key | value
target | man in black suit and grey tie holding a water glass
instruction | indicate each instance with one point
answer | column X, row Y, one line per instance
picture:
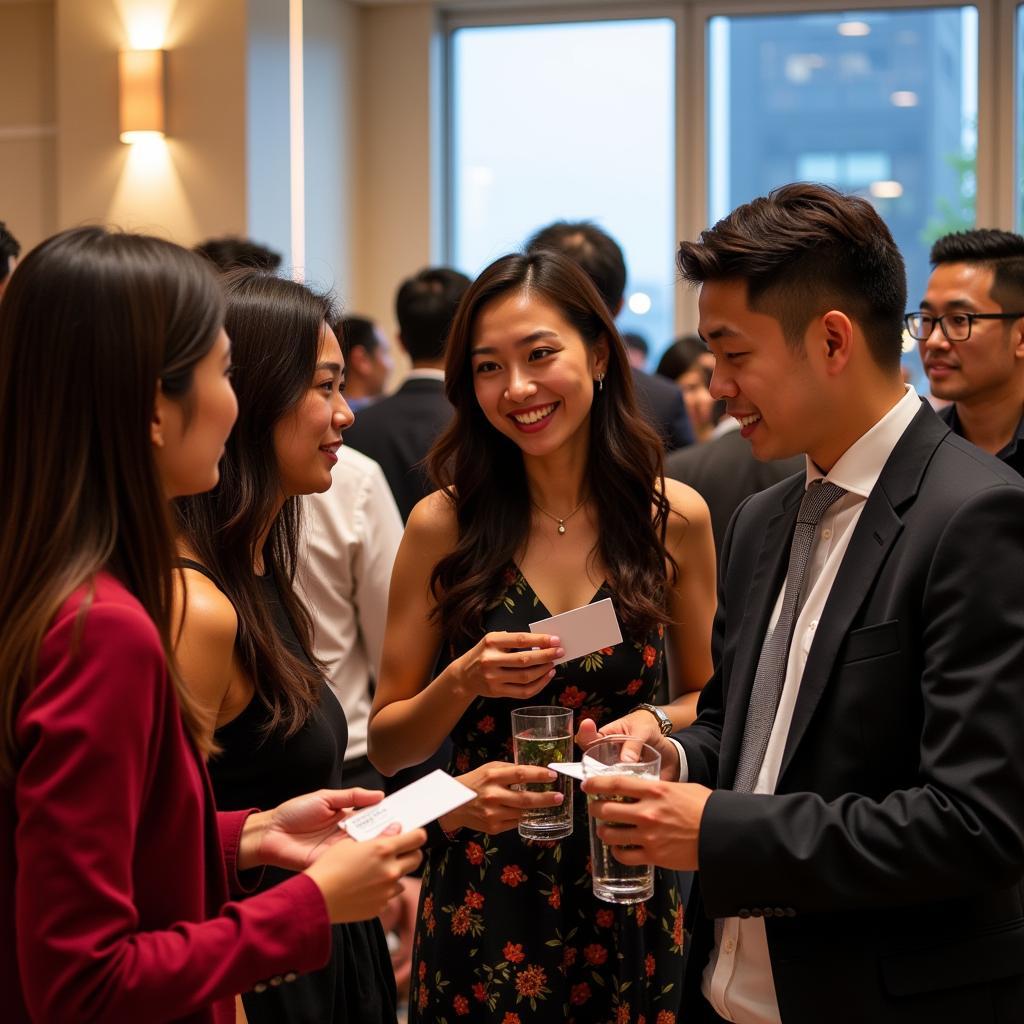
column 854, row 787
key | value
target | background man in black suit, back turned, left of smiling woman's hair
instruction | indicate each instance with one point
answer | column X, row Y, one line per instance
column 398, row 432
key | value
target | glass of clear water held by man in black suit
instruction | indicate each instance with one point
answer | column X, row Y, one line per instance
column 614, row 881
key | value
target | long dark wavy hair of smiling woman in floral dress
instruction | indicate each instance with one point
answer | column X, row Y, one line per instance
column 483, row 472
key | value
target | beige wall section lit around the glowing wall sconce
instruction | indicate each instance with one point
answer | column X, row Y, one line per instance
column 193, row 184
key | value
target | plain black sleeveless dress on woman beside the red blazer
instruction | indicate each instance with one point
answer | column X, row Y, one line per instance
column 260, row 771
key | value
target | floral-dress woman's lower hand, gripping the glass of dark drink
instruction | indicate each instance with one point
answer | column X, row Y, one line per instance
column 498, row 807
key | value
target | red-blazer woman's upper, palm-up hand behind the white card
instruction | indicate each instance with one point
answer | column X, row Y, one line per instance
column 298, row 832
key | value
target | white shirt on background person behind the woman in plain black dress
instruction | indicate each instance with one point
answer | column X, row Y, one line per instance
column 351, row 538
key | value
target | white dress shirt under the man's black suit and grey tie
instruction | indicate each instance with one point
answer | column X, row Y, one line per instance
column 738, row 980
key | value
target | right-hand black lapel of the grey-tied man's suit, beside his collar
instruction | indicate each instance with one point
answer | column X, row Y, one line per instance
column 877, row 531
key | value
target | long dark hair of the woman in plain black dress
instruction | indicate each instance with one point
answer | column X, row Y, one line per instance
column 275, row 326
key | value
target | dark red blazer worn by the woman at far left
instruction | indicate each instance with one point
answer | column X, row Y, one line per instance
column 87, row 782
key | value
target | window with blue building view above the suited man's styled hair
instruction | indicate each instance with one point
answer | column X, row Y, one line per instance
column 880, row 103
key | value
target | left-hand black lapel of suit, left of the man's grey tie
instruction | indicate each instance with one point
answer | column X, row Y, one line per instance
column 763, row 588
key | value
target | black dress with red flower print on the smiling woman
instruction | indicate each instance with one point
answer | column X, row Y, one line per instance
column 510, row 932
